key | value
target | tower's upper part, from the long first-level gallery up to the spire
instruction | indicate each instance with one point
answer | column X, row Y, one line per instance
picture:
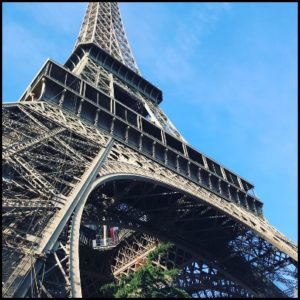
column 100, row 85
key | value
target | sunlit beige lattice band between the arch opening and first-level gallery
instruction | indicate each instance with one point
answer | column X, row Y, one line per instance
column 124, row 160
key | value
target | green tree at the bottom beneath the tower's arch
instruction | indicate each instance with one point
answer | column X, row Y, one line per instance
column 149, row 281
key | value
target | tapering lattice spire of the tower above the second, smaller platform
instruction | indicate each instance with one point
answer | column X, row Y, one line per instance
column 102, row 25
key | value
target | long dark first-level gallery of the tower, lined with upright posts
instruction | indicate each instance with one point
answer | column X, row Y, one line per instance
column 101, row 111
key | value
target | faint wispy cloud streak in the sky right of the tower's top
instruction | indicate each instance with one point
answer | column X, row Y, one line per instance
column 174, row 62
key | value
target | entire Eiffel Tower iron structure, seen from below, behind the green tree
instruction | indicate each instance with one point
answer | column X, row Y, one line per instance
column 95, row 175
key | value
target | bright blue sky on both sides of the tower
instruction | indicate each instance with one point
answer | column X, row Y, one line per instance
column 228, row 72
